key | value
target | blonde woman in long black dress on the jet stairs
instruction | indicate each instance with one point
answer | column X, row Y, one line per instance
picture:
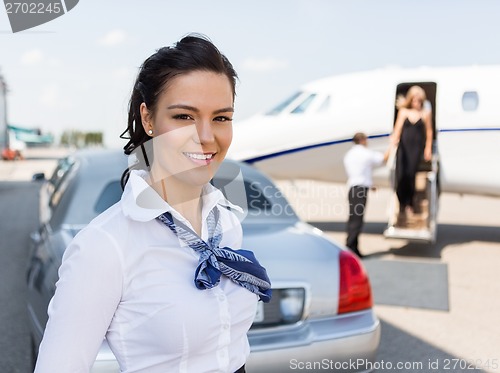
column 413, row 135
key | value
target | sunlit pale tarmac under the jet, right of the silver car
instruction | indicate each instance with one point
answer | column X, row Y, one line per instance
column 468, row 242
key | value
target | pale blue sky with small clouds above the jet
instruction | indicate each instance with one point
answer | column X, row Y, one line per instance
column 76, row 72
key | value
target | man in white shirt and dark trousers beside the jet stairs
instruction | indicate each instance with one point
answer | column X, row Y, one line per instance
column 359, row 163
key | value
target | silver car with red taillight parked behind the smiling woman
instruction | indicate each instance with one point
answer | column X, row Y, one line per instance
column 321, row 312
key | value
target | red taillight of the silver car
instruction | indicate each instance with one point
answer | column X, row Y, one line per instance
column 355, row 292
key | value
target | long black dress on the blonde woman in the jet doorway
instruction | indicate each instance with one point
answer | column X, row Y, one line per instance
column 409, row 154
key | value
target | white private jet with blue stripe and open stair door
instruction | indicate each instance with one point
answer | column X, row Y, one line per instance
column 307, row 135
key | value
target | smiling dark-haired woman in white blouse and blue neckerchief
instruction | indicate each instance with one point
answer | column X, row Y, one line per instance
column 145, row 267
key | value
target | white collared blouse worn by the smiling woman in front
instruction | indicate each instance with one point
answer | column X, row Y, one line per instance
column 127, row 277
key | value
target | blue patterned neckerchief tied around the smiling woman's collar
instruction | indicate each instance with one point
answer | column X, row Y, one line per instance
column 240, row 266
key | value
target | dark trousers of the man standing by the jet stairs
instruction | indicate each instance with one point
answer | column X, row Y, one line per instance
column 357, row 204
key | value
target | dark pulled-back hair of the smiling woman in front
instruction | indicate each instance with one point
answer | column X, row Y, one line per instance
column 193, row 52
